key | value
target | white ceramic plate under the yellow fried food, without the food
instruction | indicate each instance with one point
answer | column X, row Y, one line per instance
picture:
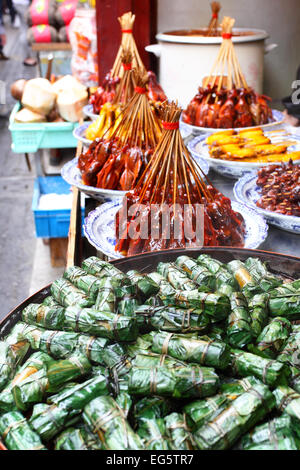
column 232, row 169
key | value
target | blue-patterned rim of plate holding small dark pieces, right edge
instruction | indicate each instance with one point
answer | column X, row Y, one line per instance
column 238, row 191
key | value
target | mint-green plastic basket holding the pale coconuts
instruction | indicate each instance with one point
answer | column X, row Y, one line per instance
column 28, row 138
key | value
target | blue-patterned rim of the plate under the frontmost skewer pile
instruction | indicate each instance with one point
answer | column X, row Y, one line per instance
column 113, row 206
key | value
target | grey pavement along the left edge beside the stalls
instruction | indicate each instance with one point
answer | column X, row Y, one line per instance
column 24, row 260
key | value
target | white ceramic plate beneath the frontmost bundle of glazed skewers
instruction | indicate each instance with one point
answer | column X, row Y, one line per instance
column 99, row 227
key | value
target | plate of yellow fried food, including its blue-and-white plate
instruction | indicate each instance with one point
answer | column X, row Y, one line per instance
column 234, row 153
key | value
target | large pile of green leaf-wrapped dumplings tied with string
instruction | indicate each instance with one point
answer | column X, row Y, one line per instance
column 195, row 355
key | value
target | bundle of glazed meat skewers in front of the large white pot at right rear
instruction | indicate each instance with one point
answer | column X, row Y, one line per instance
column 225, row 100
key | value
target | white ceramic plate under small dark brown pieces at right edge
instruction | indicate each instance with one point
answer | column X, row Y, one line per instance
column 247, row 192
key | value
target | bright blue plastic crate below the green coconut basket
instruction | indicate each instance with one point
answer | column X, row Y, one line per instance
column 52, row 223
